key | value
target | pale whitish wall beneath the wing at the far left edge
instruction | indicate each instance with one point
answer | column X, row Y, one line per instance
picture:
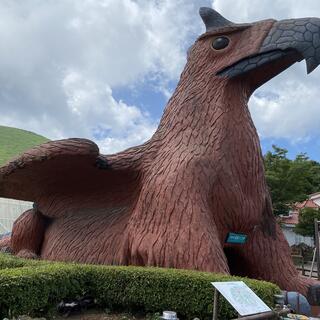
column 10, row 210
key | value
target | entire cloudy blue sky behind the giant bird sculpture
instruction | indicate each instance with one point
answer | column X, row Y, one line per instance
column 105, row 69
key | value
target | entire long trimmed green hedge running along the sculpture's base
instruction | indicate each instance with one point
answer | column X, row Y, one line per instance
column 36, row 288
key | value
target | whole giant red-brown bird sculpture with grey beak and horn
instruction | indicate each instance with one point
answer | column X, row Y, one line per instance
column 171, row 201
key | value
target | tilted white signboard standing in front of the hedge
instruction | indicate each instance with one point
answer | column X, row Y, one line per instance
column 241, row 297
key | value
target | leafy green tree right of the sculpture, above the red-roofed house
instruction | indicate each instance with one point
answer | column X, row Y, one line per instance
column 290, row 181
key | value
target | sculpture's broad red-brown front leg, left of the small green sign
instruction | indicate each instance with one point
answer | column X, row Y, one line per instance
column 171, row 226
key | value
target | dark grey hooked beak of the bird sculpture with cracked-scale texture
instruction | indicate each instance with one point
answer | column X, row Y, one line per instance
column 297, row 39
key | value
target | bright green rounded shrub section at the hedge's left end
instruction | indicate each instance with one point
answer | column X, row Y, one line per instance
column 35, row 290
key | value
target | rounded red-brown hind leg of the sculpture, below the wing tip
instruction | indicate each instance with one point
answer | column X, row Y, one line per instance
column 27, row 234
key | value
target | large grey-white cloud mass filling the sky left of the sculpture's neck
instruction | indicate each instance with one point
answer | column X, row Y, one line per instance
column 60, row 60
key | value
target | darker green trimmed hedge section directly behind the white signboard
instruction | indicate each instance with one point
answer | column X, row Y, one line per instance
column 190, row 293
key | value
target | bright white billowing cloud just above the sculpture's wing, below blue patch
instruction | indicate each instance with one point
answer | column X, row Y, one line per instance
column 93, row 108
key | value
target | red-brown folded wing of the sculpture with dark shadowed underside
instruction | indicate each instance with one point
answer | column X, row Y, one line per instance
column 57, row 167
